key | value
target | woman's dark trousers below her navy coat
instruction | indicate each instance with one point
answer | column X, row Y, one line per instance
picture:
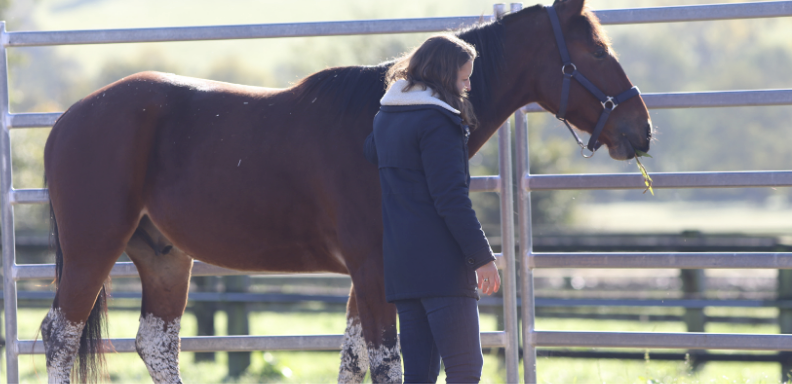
column 440, row 327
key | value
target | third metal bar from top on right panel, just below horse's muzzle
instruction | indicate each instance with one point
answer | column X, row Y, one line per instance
column 661, row 180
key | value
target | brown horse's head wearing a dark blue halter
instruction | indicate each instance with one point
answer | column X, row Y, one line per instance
column 595, row 81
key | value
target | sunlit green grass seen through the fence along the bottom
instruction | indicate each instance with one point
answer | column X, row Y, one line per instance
column 321, row 367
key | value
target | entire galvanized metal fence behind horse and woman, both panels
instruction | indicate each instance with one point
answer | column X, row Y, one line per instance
column 500, row 183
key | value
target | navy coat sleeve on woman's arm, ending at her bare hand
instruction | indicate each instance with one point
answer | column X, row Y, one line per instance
column 443, row 158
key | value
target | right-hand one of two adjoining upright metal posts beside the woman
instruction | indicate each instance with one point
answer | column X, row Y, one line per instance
column 526, row 248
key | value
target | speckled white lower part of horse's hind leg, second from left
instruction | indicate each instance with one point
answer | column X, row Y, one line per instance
column 158, row 345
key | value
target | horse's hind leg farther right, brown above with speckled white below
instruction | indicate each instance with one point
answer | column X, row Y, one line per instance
column 165, row 275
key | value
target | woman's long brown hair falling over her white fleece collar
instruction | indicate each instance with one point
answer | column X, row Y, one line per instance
column 435, row 65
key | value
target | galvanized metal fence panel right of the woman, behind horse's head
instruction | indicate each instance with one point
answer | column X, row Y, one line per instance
column 547, row 182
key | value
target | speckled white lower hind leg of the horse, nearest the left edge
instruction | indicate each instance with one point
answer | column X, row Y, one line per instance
column 61, row 342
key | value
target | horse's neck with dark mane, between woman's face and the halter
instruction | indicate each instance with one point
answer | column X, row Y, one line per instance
column 514, row 88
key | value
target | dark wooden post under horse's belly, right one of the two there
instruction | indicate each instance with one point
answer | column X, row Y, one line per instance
column 237, row 313
